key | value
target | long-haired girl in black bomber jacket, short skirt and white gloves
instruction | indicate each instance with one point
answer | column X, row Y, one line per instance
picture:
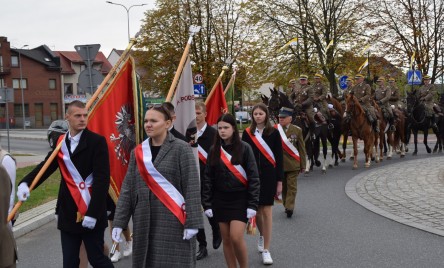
column 231, row 189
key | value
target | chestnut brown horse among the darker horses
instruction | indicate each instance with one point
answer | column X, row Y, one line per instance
column 361, row 129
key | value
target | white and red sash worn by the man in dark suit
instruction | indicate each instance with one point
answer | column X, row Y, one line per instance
column 79, row 188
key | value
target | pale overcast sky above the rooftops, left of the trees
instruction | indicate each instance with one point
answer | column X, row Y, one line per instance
column 62, row 24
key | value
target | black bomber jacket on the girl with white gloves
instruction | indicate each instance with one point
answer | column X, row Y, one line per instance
column 218, row 178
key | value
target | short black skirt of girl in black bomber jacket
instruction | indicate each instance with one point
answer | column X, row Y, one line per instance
column 229, row 206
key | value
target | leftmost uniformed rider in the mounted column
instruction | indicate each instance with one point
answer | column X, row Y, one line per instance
column 303, row 100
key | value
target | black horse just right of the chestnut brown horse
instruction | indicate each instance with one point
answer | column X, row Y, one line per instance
column 417, row 121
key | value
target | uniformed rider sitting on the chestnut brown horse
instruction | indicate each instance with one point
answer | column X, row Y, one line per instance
column 362, row 92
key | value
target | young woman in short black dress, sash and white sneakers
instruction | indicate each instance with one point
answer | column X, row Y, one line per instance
column 267, row 149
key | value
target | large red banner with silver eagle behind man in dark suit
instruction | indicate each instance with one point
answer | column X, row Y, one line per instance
column 117, row 116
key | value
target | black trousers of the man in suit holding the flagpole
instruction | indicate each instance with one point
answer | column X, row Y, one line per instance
column 93, row 241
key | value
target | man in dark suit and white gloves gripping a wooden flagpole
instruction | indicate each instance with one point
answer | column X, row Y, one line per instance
column 81, row 206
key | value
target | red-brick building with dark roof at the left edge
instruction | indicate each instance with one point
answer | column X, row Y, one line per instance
column 39, row 72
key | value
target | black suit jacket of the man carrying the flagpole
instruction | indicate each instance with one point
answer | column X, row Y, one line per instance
column 90, row 156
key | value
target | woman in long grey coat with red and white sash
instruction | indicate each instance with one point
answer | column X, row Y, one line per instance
column 163, row 233
